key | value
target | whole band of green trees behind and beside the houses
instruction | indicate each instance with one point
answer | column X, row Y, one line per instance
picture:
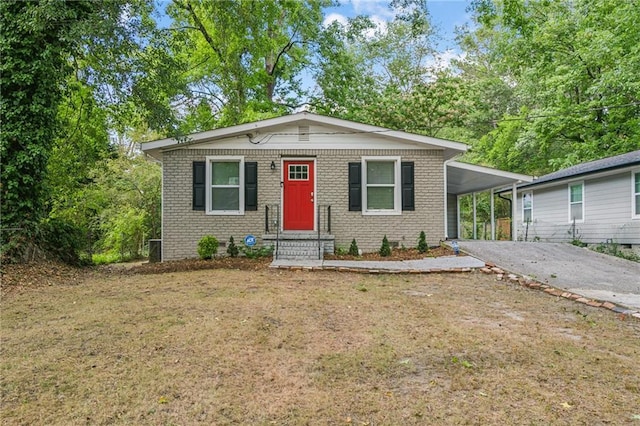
column 538, row 85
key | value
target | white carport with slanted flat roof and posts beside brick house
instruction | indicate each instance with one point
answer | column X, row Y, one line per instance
column 469, row 179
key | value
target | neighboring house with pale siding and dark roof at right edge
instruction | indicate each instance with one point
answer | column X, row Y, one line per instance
column 594, row 202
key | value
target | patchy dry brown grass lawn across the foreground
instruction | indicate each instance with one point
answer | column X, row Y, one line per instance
column 293, row 347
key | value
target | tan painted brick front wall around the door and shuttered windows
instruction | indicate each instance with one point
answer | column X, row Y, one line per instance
column 183, row 227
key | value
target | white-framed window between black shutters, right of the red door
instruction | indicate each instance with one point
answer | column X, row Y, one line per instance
column 381, row 186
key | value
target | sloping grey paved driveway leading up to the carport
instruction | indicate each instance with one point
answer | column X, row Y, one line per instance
column 564, row 266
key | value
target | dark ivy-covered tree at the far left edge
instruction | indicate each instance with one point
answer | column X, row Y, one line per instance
column 33, row 41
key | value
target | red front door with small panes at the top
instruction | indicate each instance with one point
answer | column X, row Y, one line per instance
column 298, row 195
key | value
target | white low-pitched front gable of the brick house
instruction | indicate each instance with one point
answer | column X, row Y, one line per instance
column 324, row 132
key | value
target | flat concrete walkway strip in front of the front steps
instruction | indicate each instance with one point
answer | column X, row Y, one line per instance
column 429, row 264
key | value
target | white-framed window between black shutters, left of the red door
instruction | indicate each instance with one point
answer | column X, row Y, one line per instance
column 225, row 184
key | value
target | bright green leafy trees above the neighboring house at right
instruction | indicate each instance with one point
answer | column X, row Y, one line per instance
column 573, row 66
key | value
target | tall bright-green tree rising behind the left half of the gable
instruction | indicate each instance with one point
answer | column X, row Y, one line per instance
column 243, row 57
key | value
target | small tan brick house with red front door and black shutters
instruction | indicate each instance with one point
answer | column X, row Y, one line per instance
column 312, row 179
